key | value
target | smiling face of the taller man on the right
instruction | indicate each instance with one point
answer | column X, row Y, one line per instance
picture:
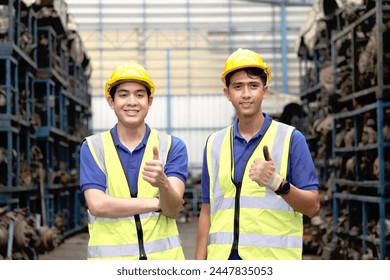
column 246, row 93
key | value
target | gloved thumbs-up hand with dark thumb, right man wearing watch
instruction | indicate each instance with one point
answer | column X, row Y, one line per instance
column 262, row 171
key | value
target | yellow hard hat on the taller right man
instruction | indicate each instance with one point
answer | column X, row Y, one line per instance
column 244, row 58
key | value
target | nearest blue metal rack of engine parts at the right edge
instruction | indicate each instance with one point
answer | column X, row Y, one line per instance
column 361, row 200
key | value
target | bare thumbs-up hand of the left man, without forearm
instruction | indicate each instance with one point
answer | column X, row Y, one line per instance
column 153, row 171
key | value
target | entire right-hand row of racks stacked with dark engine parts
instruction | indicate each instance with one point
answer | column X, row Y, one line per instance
column 345, row 78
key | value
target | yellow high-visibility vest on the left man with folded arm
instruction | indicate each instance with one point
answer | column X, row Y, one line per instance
column 120, row 238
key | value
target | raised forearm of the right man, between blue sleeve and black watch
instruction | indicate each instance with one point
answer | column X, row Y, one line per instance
column 304, row 201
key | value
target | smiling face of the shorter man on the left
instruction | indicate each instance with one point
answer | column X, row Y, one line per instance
column 131, row 104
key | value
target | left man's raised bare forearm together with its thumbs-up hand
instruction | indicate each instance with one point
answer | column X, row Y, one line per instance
column 171, row 189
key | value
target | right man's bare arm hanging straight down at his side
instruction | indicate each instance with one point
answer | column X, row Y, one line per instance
column 203, row 232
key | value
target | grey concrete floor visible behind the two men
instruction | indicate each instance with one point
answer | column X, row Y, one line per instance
column 75, row 247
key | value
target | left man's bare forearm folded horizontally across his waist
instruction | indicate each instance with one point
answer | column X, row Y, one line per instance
column 102, row 205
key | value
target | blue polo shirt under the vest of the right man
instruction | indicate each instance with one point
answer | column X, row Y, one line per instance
column 301, row 170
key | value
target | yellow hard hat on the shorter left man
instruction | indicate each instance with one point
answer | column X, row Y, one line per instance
column 129, row 71
